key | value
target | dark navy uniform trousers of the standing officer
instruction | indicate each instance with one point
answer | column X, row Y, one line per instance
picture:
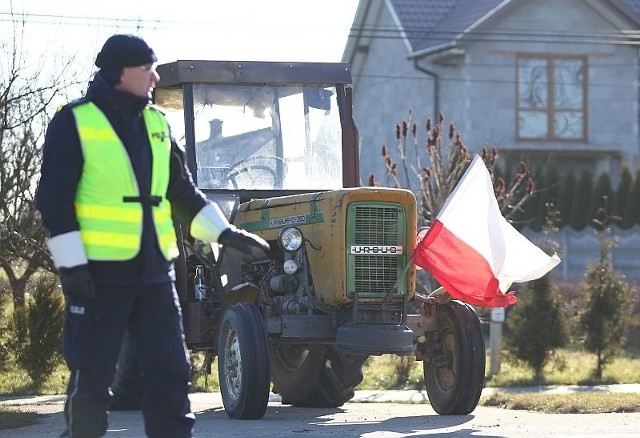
column 93, row 334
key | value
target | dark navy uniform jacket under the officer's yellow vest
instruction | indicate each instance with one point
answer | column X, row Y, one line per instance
column 62, row 167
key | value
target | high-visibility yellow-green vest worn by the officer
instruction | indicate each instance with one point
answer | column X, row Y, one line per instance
column 111, row 226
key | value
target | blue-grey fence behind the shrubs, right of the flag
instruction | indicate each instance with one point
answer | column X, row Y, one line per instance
column 579, row 249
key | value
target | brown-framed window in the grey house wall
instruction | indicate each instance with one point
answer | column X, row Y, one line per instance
column 551, row 97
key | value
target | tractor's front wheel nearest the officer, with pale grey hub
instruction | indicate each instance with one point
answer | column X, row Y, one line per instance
column 243, row 363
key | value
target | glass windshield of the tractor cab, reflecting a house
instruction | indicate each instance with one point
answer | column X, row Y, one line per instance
column 264, row 137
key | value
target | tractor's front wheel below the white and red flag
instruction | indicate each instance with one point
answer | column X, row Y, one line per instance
column 454, row 376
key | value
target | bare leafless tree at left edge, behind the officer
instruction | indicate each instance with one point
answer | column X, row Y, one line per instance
column 29, row 86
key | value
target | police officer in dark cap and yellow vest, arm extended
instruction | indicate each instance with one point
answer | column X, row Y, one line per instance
column 112, row 177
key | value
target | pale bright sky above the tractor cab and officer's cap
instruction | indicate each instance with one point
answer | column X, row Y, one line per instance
column 239, row 30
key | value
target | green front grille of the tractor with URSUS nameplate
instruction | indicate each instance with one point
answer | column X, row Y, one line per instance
column 376, row 228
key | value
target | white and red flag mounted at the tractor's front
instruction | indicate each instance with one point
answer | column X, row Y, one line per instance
column 471, row 249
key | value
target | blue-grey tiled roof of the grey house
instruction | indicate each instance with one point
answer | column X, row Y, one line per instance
column 434, row 25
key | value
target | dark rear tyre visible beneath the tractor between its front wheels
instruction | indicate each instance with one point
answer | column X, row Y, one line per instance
column 315, row 376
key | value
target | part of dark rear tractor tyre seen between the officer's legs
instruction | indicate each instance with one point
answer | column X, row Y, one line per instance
column 127, row 383
